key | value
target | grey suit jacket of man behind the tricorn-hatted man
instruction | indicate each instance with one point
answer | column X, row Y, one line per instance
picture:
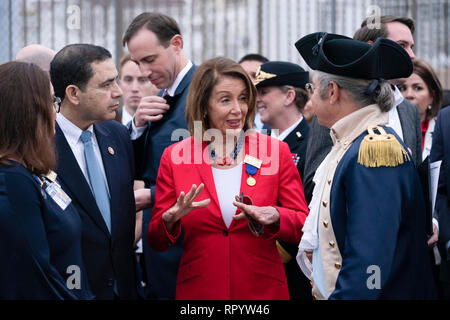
column 320, row 143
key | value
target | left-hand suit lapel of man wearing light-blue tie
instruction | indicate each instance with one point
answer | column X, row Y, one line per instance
column 70, row 174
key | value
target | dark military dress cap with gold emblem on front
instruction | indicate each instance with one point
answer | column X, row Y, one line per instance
column 280, row 73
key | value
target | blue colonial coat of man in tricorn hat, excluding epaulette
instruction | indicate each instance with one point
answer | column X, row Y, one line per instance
column 377, row 218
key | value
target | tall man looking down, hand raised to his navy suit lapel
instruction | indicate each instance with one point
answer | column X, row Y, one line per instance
column 156, row 45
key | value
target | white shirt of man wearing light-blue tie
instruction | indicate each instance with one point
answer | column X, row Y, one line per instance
column 73, row 134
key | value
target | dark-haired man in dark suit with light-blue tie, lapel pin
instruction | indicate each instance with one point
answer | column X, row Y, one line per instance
column 96, row 166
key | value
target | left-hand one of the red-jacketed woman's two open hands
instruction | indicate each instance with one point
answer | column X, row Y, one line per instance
column 183, row 206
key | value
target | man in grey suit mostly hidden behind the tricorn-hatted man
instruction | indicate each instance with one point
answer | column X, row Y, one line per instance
column 404, row 117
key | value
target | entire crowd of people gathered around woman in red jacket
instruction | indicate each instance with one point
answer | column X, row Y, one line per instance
column 248, row 180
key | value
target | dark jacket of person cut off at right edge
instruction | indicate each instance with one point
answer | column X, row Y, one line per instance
column 440, row 150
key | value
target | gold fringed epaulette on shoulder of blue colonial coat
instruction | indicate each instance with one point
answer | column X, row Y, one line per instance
column 379, row 149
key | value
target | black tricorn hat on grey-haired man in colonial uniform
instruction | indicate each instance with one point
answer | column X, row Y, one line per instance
column 340, row 55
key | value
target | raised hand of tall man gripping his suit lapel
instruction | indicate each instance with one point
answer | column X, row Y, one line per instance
column 150, row 109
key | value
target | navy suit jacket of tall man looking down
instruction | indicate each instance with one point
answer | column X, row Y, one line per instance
column 160, row 268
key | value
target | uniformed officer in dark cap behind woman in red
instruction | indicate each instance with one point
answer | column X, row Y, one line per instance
column 281, row 99
